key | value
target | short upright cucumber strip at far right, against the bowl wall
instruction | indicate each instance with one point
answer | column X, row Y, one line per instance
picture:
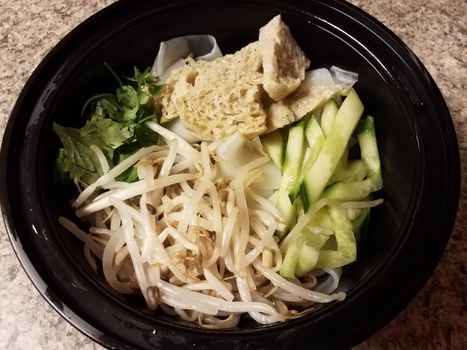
column 369, row 150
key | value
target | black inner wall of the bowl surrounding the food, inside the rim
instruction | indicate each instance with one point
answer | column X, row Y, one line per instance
column 136, row 43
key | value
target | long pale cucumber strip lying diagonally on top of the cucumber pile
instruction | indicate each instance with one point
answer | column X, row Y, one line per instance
column 344, row 124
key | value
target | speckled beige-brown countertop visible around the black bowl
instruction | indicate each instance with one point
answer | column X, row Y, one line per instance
column 435, row 30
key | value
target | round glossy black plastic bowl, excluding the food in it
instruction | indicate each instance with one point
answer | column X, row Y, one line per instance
column 406, row 235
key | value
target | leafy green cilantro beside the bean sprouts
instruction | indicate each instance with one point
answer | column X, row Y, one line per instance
column 115, row 123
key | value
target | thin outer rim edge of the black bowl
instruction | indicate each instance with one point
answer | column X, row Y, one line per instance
column 372, row 24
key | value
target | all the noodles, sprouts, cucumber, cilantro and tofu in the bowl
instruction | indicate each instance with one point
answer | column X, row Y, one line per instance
column 218, row 186
